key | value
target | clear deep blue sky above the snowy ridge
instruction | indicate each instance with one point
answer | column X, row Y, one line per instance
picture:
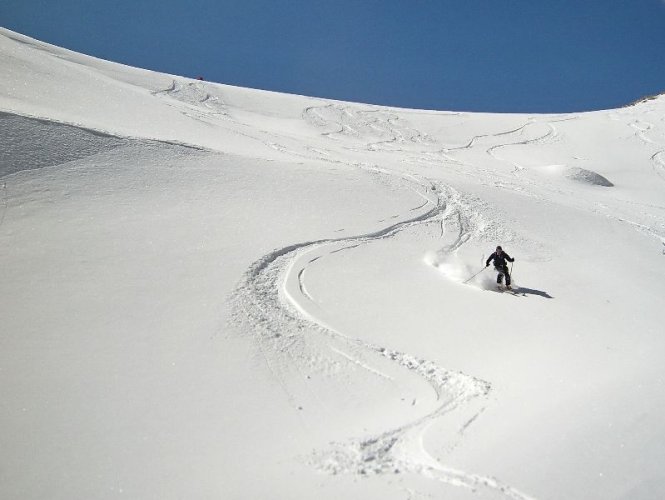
column 470, row 55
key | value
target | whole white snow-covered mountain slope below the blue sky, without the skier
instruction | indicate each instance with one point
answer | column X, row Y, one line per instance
column 214, row 292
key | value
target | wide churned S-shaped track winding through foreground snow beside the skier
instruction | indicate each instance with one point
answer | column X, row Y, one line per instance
column 290, row 337
